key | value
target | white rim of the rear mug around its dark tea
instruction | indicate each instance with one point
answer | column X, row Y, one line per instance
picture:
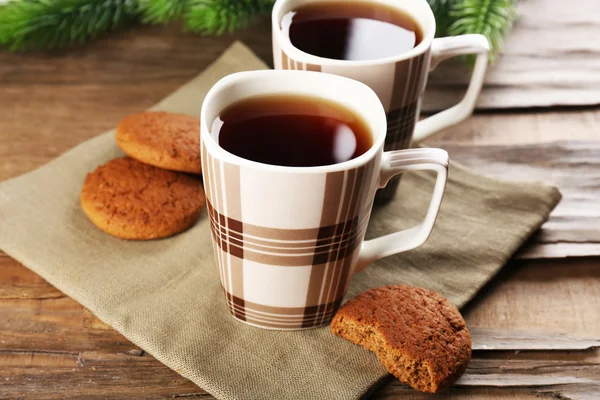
column 419, row 10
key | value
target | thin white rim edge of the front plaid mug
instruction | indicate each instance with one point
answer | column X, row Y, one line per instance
column 232, row 79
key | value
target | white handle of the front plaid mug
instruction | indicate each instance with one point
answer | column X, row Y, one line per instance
column 394, row 163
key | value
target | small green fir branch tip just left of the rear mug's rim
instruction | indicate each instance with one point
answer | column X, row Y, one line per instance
column 219, row 16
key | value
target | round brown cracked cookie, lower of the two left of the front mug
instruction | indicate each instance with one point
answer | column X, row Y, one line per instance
column 131, row 200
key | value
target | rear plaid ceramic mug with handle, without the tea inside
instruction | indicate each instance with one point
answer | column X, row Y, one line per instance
column 399, row 81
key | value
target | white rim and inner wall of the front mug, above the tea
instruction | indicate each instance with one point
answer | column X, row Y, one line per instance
column 356, row 96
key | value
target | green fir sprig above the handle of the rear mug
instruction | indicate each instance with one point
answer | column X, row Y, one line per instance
column 491, row 18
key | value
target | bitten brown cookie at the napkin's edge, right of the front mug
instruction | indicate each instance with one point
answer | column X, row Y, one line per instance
column 418, row 335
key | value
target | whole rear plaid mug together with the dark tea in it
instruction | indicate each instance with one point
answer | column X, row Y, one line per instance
column 390, row 46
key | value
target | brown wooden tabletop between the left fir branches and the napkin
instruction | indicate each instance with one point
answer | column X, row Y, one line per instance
column 87, row 90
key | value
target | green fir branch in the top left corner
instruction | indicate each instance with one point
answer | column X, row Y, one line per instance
column 37, row 24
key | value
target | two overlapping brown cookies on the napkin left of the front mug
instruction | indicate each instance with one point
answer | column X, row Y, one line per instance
column 156, row 191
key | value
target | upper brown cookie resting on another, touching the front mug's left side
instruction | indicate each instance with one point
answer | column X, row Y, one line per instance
column 165, row 140
